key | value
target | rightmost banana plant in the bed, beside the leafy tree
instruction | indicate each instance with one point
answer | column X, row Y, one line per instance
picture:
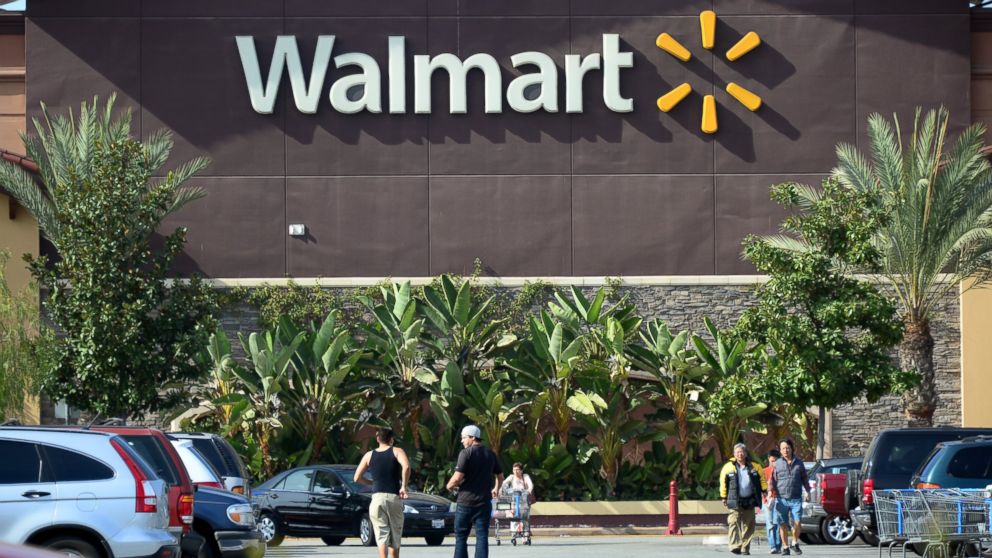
column 726, row 388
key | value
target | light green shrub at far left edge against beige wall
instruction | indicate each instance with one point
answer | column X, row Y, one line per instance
column 26, row 347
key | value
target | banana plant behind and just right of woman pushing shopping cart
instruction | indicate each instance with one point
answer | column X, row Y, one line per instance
column 546, row 366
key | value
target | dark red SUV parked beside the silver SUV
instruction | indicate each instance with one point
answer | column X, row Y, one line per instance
column 155, row 448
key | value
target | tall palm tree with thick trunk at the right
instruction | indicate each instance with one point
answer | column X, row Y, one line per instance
column 939, row 198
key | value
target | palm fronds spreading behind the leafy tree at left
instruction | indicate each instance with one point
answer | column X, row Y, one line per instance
column 64, row 150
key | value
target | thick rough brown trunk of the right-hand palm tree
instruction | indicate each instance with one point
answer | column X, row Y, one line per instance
column 916, row 355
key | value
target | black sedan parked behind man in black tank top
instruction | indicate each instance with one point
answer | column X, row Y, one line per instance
column 323, row 501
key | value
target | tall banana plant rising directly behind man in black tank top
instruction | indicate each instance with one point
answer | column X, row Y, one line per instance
column 396, row 339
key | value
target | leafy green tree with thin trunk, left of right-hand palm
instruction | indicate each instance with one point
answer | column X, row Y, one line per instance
column 830, row 334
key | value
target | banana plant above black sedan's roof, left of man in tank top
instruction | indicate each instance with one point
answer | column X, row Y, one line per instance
column 321, row 391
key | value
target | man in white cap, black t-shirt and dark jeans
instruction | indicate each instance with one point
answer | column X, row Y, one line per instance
column 474, row 476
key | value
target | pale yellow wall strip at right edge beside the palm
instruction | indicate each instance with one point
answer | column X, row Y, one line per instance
column 976, row 357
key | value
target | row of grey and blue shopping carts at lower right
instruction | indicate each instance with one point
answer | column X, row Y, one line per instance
column 943, row 522
